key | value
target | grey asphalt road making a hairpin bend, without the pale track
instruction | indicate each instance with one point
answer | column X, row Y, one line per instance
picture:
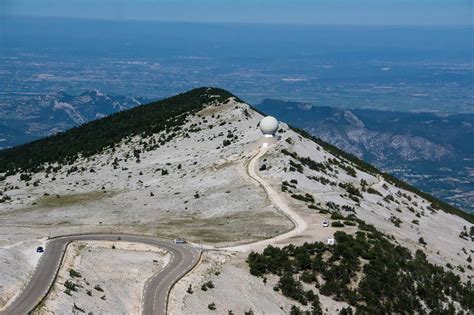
column 155, row 295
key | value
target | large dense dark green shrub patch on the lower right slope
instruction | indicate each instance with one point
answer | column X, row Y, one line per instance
column 391, row 279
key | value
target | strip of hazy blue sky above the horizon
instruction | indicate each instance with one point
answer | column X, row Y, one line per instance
column 381, row 12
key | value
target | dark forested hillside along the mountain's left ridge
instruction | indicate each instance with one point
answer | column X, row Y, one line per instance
column 89, row 139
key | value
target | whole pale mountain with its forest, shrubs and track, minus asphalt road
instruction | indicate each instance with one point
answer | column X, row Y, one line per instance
column 293, row 225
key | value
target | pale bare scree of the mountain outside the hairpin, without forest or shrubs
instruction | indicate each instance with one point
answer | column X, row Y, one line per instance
column 197, row 188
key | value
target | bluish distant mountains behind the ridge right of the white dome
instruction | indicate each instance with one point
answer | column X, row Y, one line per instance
column 432, row 151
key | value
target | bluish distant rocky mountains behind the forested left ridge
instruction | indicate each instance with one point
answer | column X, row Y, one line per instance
column 48, row 114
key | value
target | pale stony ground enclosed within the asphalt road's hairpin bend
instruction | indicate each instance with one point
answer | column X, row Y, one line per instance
column 109, row 278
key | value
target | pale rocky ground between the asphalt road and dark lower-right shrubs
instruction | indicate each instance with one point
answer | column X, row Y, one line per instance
column 234, row 289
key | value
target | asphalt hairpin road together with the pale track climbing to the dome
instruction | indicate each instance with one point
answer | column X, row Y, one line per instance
column 183, row 256
